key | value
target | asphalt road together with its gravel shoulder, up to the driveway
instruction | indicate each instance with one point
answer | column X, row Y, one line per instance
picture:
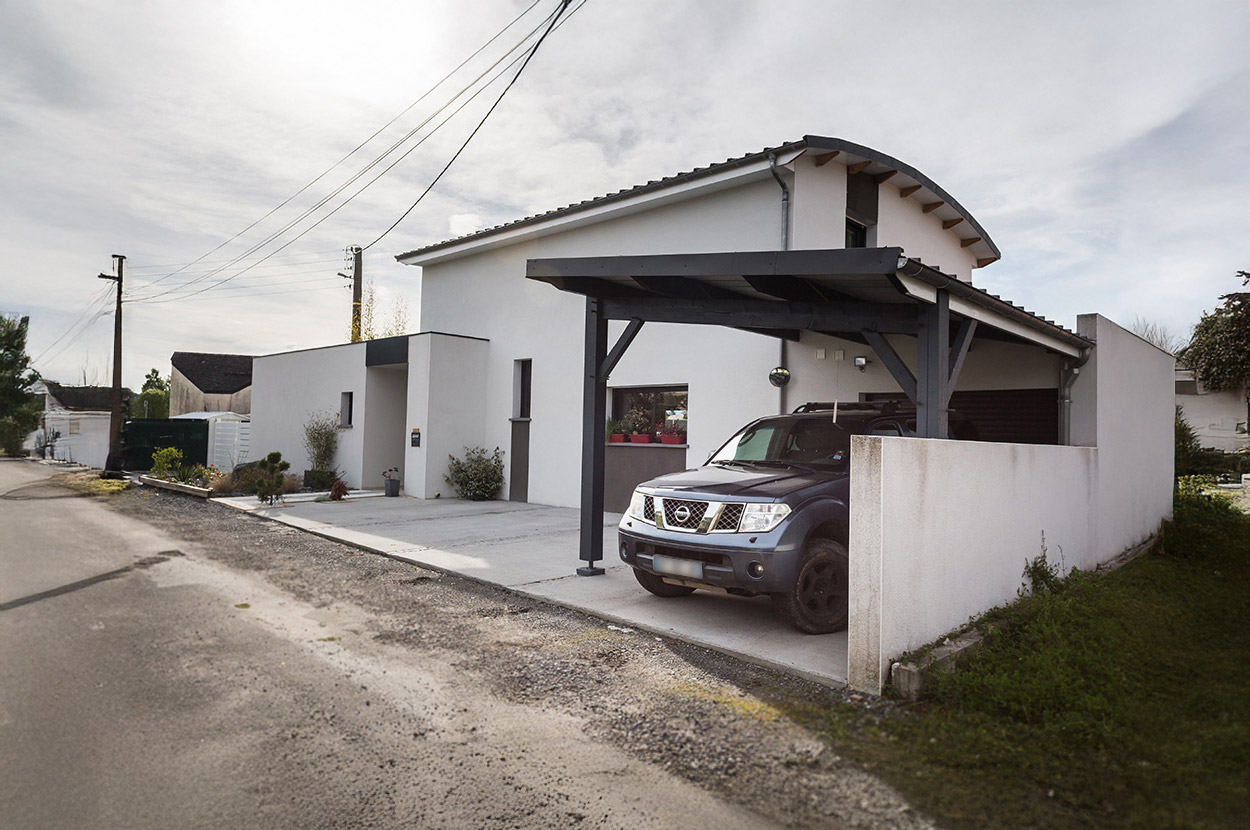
column 229, row 672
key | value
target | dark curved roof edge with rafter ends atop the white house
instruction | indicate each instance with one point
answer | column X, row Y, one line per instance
column 878, row 164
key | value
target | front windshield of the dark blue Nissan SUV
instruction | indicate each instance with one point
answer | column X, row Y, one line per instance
column 811, row 442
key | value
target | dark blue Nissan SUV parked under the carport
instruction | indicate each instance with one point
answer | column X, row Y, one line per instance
column 768, row 514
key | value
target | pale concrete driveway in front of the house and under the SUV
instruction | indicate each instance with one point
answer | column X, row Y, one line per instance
column 533, row 551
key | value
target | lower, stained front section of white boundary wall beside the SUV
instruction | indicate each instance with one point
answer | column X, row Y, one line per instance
column 942, row 531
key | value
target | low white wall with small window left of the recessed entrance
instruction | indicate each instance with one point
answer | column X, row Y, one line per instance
column 288, row 388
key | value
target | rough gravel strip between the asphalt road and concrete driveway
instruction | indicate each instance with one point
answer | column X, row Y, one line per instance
column 729, row 727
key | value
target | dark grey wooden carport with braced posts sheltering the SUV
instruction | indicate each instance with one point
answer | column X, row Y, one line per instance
column 858, row 294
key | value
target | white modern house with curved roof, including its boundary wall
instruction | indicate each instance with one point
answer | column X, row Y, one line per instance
column 677, row 299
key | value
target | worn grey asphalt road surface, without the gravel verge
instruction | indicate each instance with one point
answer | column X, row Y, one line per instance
column 151, row 701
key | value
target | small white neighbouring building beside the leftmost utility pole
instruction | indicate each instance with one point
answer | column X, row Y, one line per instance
column 77, row 423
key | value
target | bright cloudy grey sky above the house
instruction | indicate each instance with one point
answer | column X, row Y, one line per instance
column 1102, row 144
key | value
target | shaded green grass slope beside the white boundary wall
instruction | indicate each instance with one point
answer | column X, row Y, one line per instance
column 1109, row 702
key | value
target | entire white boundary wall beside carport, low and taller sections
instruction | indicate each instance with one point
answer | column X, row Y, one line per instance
column 942, row 531
